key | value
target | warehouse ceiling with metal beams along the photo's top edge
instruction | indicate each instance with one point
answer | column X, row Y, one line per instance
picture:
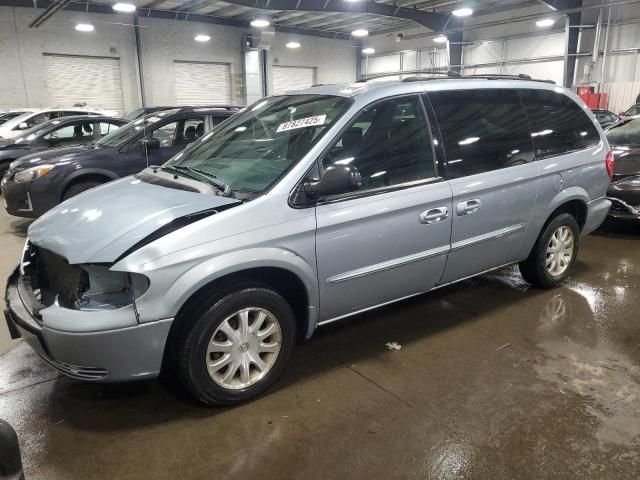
column 398, row 14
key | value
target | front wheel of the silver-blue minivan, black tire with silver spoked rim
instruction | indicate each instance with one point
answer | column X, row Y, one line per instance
column 209, row 324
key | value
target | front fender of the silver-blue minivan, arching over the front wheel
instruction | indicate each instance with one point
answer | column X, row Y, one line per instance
column 165, row 300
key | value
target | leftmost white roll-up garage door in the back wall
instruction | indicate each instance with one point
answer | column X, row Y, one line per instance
column 95, row 81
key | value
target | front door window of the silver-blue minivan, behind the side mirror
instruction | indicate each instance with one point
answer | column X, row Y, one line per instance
column 388, row 143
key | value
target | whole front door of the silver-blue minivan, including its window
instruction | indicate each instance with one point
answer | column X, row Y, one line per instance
column 390, row 238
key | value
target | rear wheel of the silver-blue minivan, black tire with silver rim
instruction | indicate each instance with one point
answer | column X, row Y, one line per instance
column 536, row 269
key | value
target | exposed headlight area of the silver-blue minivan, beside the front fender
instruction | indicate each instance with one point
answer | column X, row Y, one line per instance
column 109, row 290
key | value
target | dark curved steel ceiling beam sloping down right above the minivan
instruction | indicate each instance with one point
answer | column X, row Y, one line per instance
column 433, row 21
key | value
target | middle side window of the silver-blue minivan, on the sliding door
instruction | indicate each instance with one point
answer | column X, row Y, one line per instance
column 482, row 130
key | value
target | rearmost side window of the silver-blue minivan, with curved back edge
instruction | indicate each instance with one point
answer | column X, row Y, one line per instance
column 558, row 124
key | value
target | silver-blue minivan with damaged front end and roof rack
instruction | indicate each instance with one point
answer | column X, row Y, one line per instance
column 301, row 210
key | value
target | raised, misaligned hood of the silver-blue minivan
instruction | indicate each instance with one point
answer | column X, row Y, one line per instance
column 101, row 224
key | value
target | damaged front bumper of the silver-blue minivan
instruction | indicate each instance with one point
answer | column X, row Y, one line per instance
column 79, row 344
